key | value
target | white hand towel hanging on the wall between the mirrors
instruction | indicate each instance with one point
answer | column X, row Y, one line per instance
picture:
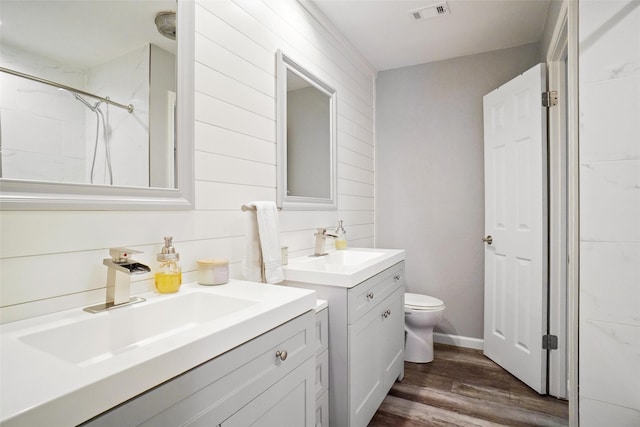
column 265, row 222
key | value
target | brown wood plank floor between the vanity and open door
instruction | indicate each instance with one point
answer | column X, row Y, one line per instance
column 462, row 387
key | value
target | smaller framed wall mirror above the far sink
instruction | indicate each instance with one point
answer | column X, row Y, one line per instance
column 306, row 138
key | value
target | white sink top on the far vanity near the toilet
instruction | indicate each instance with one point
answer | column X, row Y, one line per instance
column 344, row 268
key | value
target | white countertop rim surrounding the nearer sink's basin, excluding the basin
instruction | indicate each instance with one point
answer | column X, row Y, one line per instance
column 38, row 388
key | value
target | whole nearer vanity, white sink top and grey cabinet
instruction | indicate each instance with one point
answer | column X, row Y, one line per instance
column 232, row 355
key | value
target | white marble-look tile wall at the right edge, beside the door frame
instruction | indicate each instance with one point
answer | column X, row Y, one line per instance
column 609, row 213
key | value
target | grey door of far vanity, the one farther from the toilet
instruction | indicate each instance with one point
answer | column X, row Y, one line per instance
column 365, row 379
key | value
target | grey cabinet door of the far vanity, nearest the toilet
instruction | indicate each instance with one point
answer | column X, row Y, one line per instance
column 392, row 338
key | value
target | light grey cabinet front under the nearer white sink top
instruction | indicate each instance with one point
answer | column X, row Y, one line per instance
column 267, row 381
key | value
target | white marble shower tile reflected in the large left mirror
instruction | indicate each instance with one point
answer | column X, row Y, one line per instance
column 48, row 135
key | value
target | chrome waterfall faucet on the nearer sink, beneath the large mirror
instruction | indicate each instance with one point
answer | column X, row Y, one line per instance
column 120, row 268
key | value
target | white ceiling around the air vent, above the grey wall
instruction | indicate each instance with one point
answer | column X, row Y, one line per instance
column 384, row 32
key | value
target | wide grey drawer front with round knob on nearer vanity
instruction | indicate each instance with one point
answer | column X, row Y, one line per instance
column 215, row 390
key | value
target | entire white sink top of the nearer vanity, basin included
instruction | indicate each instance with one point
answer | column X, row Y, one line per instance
column 73, row 365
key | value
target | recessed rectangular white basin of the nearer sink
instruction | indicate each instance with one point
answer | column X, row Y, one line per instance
column 100, row 337
